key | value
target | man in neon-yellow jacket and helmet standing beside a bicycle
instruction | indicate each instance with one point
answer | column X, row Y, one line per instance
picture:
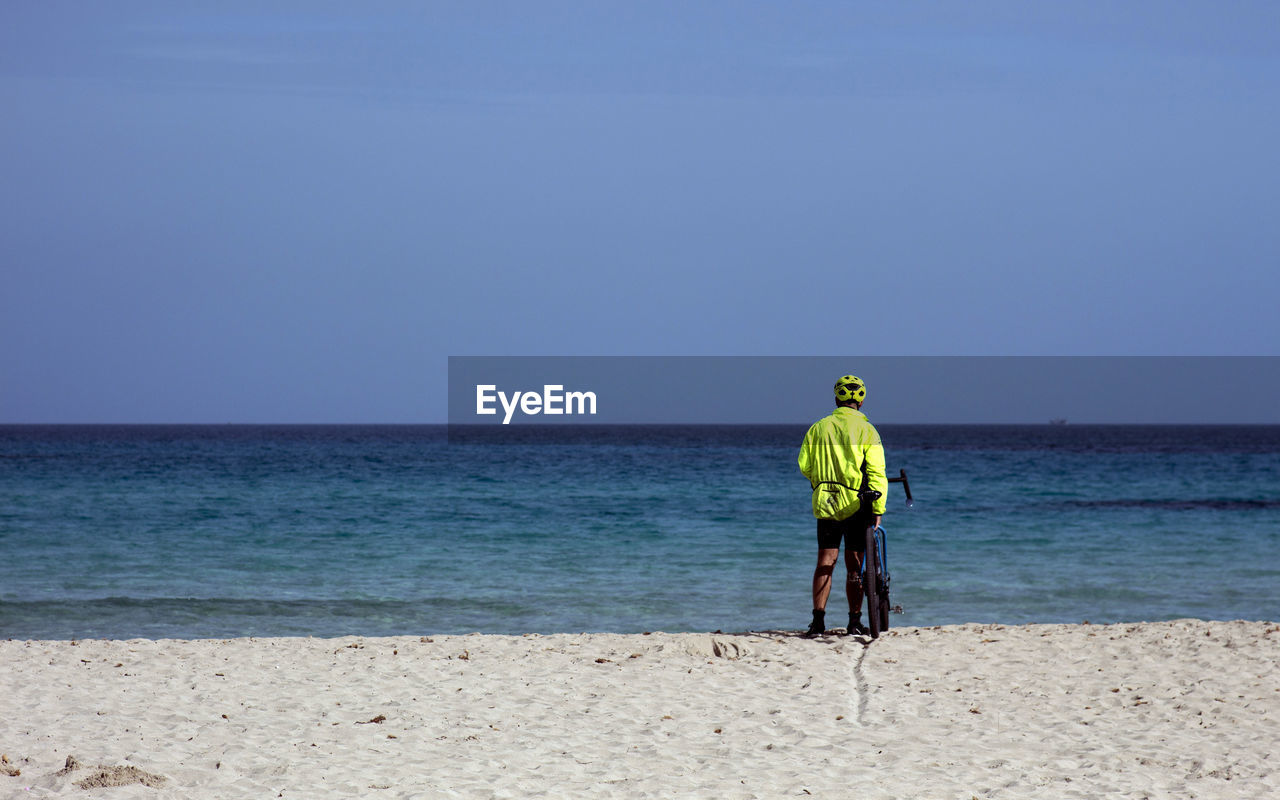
column 842, row 456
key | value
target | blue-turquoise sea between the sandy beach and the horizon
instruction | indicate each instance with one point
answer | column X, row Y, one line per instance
column 218, row 532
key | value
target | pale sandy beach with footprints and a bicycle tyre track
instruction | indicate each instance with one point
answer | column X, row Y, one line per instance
column 1169, row 710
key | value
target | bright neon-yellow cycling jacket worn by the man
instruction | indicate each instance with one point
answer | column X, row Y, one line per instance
column 838, row 452
